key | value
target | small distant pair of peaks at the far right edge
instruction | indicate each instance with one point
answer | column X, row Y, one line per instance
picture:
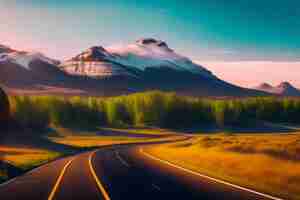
column 284, row 89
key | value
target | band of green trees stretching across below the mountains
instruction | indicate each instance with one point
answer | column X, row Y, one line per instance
column 158, row 109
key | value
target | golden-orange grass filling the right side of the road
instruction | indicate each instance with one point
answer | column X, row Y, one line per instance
column 267, row 163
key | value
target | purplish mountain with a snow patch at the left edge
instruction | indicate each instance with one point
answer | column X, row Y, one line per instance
column 20, row 67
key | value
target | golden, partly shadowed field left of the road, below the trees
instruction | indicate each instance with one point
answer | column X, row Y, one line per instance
column 18, row 156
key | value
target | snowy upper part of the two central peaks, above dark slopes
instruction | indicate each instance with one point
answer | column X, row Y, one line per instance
column 131, row 59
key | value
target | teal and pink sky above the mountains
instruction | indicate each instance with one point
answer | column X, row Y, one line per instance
column 245, row 42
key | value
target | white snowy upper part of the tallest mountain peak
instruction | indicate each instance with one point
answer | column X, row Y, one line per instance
column 150, row 52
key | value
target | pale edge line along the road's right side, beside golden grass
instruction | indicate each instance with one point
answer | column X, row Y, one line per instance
column 210, row 178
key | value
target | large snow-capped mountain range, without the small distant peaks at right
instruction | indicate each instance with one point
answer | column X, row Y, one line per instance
column 146, row 64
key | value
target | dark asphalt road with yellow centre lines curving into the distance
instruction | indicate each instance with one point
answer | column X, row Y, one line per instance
column 119, row 172
